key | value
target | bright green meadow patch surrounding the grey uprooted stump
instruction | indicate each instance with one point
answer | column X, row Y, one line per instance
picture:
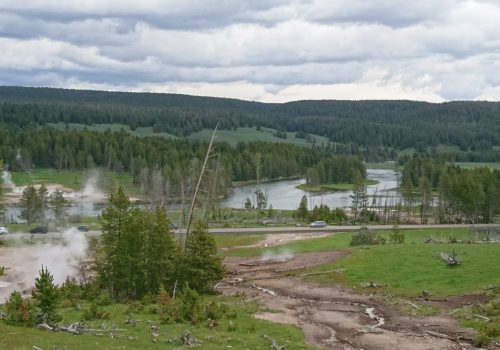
column 410, row 268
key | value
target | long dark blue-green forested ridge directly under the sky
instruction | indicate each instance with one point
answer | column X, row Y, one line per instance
column 470, row 127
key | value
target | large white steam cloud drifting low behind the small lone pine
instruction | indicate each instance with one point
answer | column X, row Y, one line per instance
column 24, row 262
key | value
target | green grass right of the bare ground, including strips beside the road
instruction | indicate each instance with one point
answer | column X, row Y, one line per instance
column 407, row 268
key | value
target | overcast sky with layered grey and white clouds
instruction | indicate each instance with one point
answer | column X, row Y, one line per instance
column 264, row 50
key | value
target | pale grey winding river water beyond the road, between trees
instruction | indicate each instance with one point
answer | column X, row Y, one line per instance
column 285, row 195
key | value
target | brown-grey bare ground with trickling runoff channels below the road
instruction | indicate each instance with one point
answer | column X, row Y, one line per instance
column 336, row 317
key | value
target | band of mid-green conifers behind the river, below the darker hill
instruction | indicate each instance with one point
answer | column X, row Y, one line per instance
column 23, row 148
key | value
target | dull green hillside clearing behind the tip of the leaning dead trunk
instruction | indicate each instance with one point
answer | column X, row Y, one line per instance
column 251, row 134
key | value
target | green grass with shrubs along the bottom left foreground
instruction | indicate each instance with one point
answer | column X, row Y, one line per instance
column 245, row 332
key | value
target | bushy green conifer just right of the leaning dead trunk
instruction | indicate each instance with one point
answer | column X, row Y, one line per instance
column 201, row 268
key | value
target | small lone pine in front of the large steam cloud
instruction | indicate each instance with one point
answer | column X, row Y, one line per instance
column 46, row 297
